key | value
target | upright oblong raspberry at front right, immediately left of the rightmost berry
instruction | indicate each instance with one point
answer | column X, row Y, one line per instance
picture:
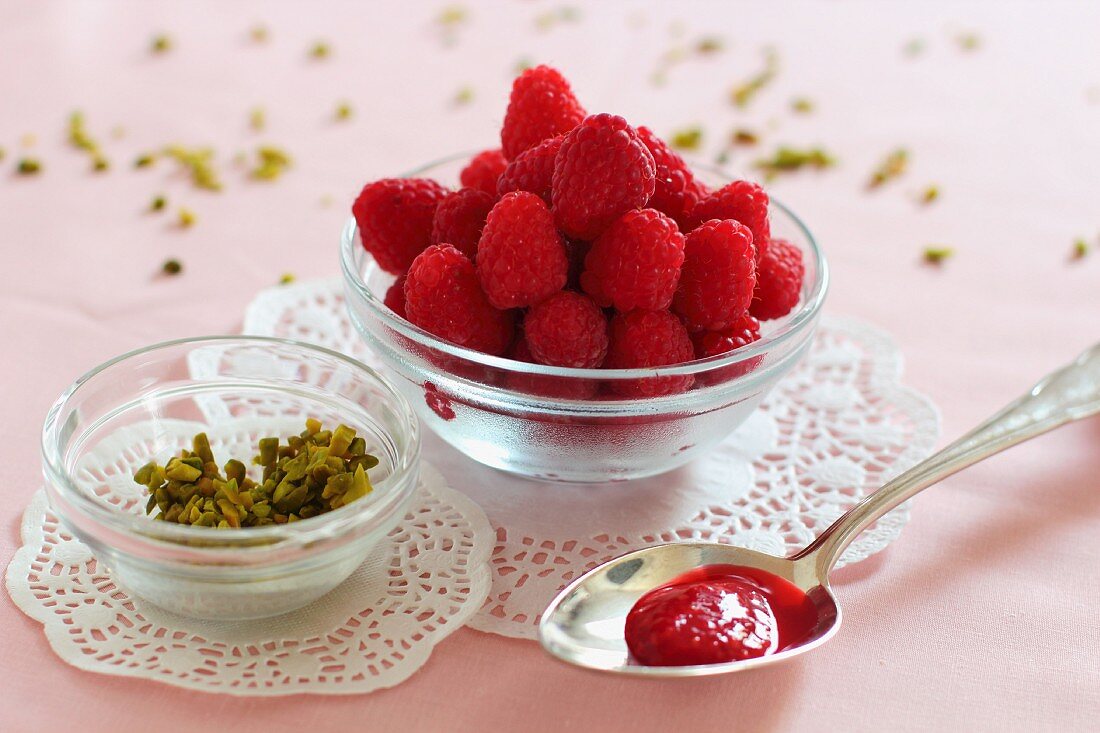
column 719, row 276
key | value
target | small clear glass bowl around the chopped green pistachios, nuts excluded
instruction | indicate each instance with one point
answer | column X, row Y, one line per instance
column 147, row 406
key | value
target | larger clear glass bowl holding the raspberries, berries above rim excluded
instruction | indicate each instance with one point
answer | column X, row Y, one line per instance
column 525, row 419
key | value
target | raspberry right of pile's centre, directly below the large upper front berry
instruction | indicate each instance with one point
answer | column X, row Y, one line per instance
column 636, row 262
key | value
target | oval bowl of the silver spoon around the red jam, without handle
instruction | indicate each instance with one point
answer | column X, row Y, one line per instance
column 585, row 626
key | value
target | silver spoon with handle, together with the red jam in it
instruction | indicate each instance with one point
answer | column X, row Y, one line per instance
column 694, row 609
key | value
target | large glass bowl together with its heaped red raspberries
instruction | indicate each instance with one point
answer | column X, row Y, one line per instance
column 580, row 305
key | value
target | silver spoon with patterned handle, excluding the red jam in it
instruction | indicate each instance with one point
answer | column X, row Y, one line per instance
column 585, row 625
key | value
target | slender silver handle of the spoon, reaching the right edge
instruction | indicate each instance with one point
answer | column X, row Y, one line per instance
column 1069, row 395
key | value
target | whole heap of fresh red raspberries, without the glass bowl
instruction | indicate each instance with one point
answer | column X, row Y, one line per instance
column 581, row 243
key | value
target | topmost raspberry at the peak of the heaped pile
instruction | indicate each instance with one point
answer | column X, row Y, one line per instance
column 542, row 106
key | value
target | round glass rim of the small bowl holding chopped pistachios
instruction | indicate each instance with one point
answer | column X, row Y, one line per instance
column 377, row 507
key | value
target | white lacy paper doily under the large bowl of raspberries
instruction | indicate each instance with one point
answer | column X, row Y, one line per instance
column 839, row 426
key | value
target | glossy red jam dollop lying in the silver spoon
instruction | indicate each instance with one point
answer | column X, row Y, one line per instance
column 719, row 614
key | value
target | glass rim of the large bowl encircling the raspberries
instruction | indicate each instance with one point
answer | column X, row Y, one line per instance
column 804, row 319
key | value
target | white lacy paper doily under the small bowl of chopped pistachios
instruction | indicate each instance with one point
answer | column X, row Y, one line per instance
column 420, row 585
